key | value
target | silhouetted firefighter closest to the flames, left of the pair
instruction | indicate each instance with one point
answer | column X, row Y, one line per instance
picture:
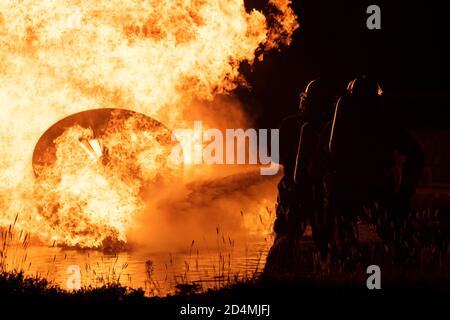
column 300, row 194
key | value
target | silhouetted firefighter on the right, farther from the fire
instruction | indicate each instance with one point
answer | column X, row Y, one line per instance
column 362, row 183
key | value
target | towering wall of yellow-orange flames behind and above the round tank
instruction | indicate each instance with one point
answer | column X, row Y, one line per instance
column 152, row 56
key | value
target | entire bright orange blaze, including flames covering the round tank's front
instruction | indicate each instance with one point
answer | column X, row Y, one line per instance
column 58, row 58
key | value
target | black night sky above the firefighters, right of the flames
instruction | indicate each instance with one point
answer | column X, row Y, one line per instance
column 409, row 57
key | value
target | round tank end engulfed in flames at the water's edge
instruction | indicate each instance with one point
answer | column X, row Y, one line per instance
column 93, row 171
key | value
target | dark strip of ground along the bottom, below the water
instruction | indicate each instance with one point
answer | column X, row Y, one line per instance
column 289, row 298
